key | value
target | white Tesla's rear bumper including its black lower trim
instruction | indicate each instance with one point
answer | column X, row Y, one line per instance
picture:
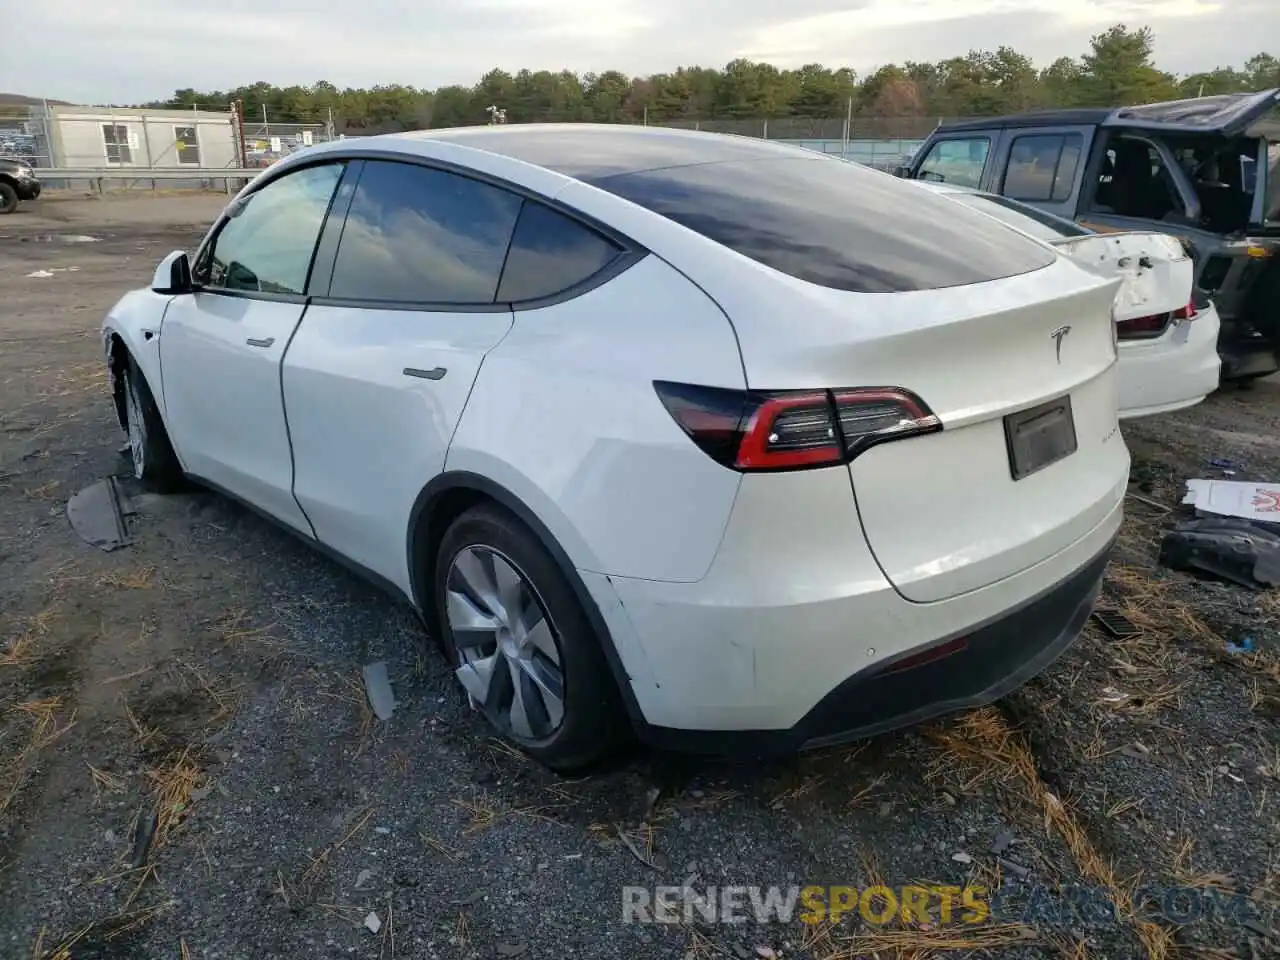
column 797, row 644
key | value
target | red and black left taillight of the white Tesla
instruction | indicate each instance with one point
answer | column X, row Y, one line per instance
column 760, row 431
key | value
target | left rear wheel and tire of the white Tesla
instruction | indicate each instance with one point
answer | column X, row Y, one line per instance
column 488, row 555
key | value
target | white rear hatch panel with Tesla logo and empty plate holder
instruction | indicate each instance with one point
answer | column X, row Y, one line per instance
column 1018, row 371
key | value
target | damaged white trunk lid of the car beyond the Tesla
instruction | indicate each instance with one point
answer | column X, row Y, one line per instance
column 1155, row 271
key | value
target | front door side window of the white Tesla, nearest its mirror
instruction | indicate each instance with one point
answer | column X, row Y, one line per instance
column 267, row 244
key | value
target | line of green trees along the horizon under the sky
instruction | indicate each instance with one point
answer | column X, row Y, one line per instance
column 1117, row 70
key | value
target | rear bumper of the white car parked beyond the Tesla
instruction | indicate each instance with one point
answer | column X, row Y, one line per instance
column 1174, row 372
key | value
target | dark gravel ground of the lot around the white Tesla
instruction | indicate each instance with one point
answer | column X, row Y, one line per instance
column 207, row 680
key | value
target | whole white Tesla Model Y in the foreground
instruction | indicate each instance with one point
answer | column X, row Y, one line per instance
column 730, row 444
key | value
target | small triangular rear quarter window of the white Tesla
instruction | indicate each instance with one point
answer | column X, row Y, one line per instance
column 550, row 254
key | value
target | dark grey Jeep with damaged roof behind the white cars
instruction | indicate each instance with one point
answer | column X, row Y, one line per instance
column 1206, row 171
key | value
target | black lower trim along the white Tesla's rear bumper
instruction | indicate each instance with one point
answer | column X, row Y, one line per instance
column 980, row 668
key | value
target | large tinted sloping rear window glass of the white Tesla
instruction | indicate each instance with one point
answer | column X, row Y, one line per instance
column 835, row 223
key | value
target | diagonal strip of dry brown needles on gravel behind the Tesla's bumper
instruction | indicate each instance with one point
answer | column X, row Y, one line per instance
column 984, row 742
